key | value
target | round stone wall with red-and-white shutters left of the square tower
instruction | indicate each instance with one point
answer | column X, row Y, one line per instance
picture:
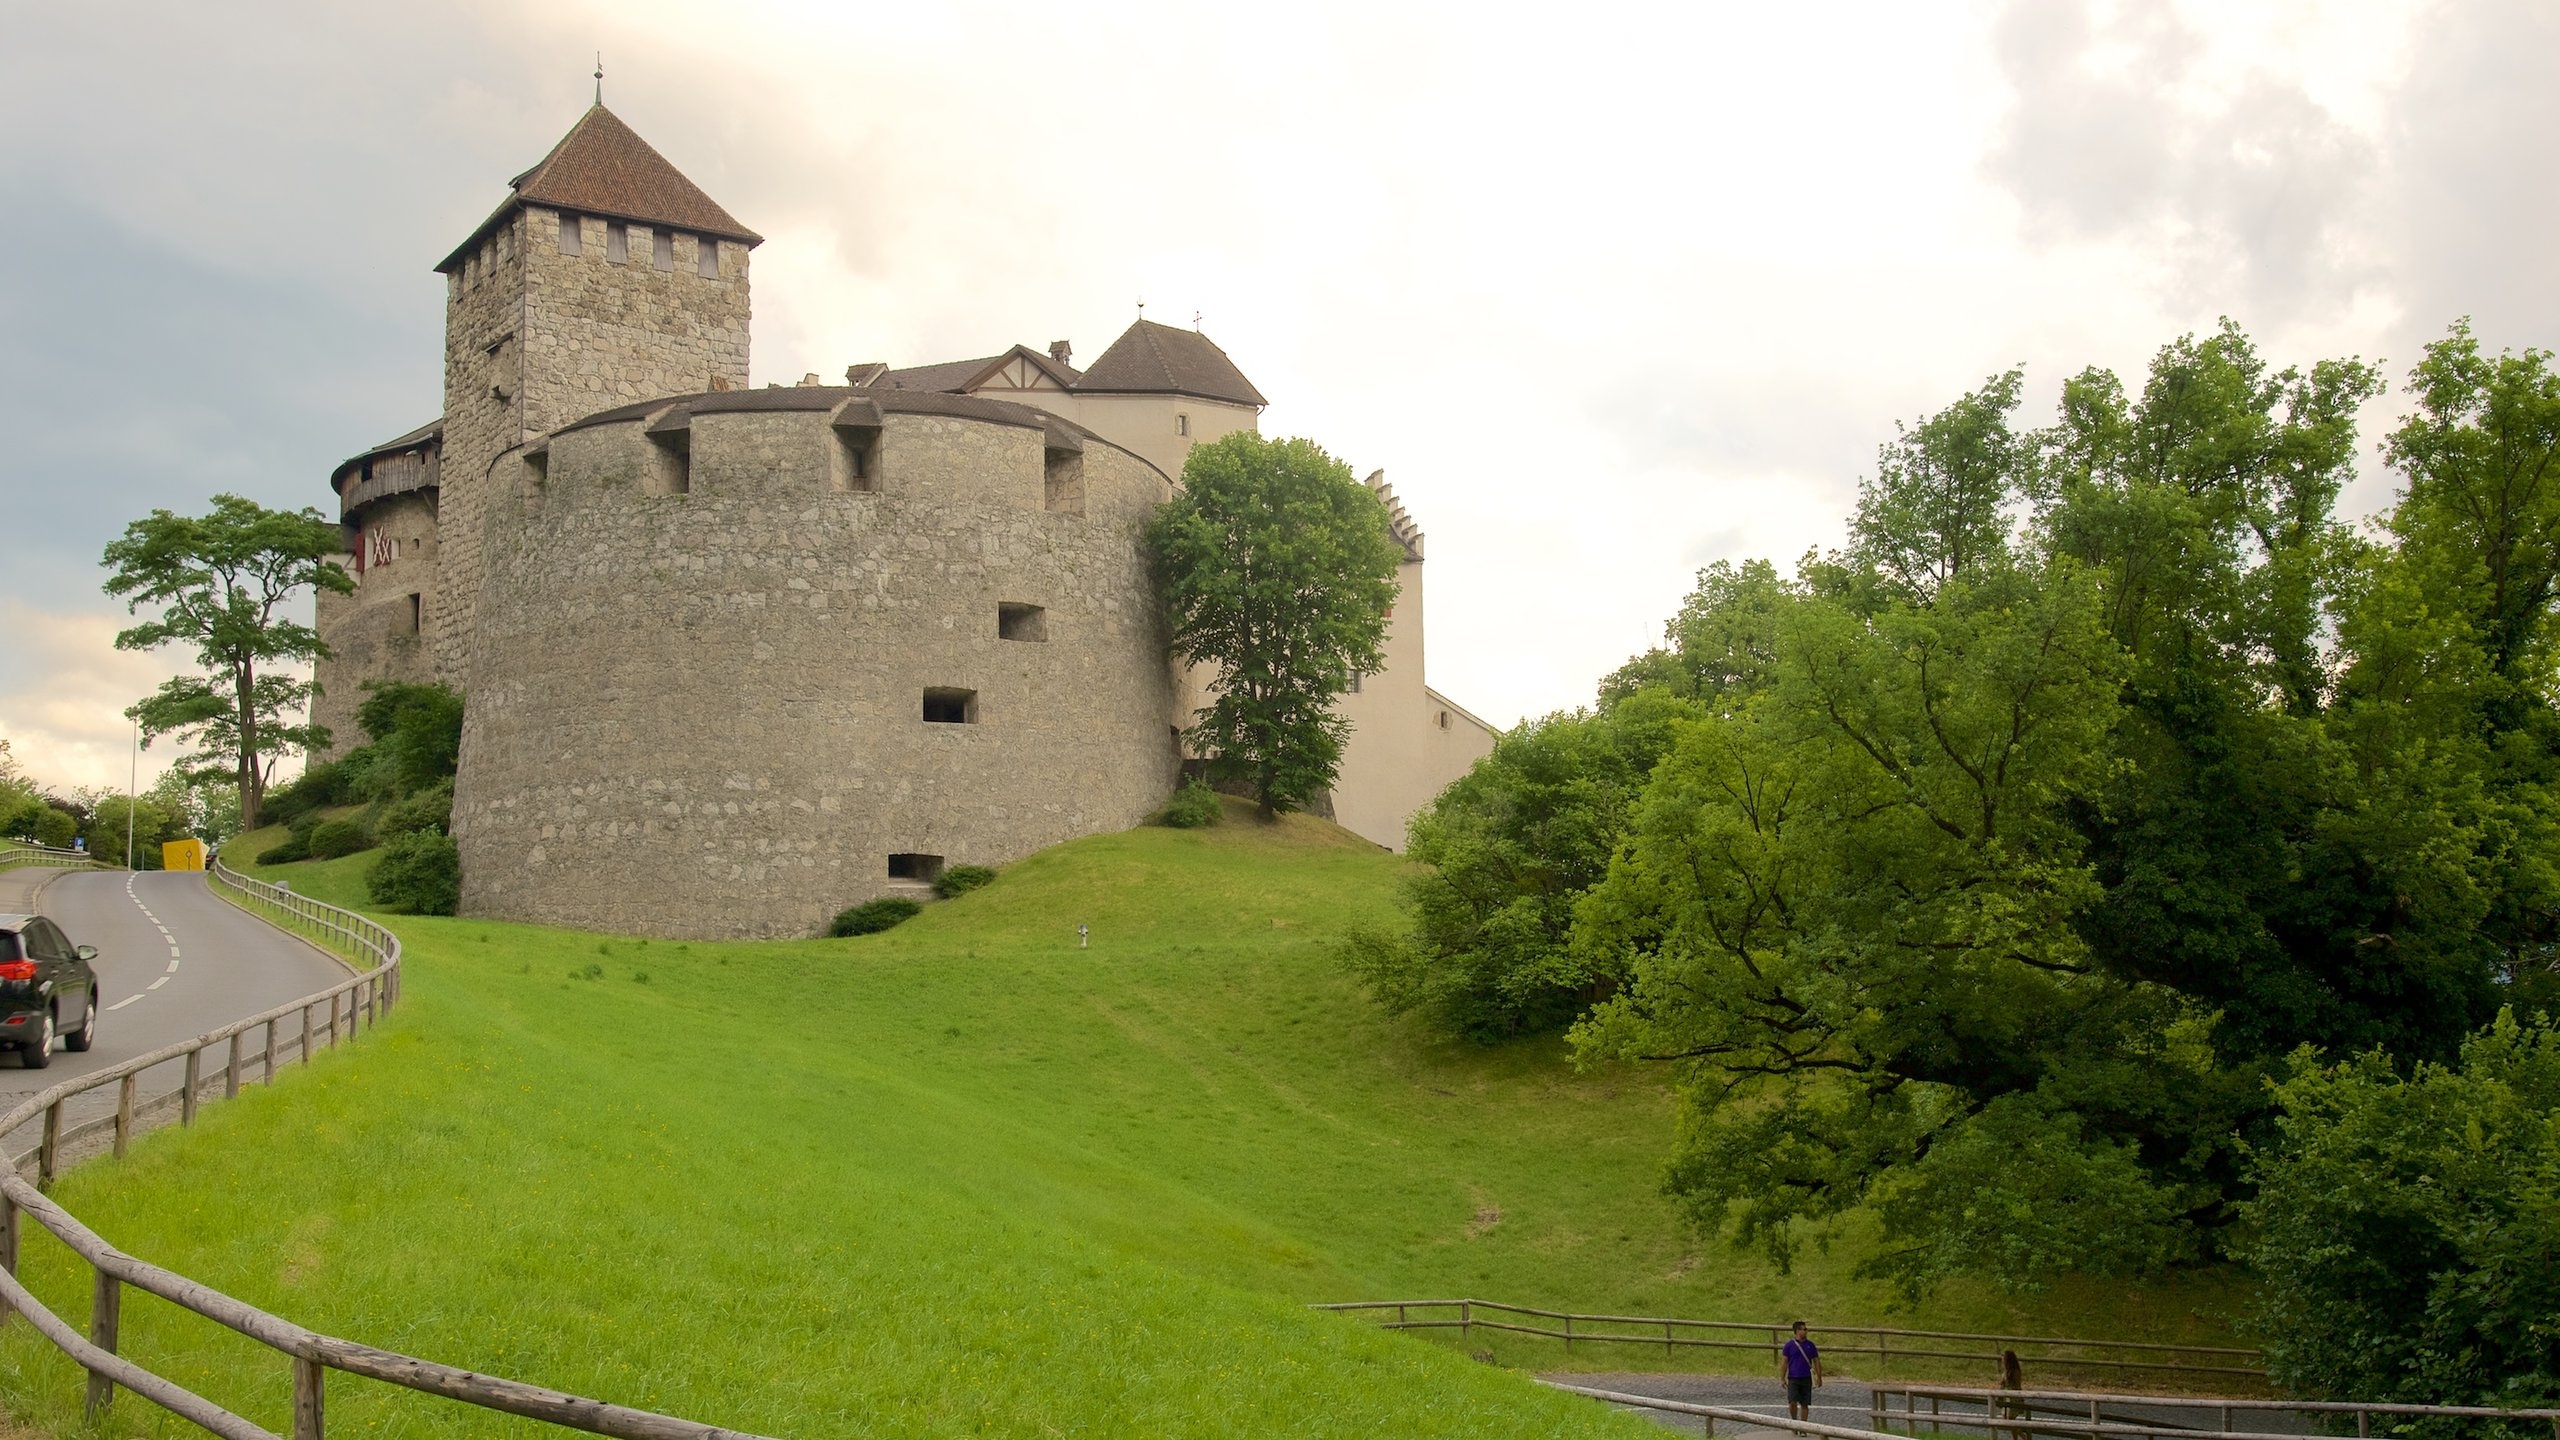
column 370, row 634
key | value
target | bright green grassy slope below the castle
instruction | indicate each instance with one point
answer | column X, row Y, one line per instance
column 954, row 1180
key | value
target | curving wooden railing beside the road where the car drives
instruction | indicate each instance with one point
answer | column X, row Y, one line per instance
column 352, row 1006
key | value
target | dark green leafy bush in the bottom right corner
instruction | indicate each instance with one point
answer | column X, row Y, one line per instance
column 2405, row 1226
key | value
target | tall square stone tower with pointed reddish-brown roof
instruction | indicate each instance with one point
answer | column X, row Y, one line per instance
column 603, row 278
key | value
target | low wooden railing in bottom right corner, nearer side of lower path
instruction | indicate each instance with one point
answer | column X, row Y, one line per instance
column 2021, row 1413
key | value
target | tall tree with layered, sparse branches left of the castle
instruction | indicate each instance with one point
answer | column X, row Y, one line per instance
column 219, row 585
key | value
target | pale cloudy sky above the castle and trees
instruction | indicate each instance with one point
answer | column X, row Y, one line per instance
column 1609, row 291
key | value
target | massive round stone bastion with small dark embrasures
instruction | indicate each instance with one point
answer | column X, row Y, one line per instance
column 751, row 657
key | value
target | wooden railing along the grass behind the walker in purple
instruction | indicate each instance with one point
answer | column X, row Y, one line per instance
column 1885, row 1344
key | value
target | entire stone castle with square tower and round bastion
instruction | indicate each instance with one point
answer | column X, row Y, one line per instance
column 739, row 657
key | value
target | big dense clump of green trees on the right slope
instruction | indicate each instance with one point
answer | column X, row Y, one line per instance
column 2001, row 862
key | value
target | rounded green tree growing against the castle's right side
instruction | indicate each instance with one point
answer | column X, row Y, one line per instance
column 1279, row 573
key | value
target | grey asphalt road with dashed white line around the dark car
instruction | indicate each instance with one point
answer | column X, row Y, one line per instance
column 173, row 962
